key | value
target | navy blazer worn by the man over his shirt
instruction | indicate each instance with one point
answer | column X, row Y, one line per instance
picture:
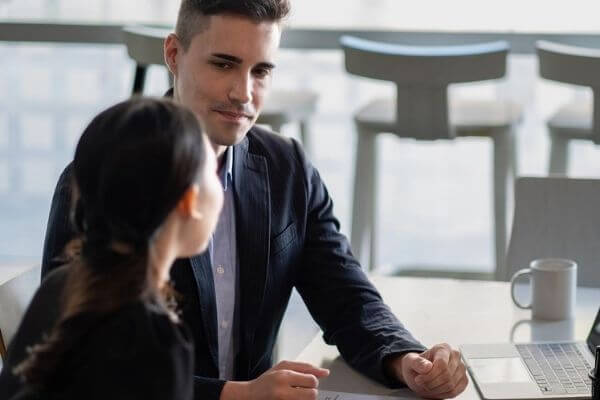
column 287, row 236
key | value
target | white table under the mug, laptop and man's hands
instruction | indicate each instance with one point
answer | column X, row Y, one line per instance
column 456, row 312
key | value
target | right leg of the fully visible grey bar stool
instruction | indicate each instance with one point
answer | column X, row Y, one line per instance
column 503, row 155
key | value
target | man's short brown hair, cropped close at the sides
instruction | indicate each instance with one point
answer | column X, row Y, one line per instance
column 191, row 13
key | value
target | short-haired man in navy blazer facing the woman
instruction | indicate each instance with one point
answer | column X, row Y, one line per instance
column 277, row 231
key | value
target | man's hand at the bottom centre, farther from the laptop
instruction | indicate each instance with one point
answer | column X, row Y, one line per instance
column 286, row 380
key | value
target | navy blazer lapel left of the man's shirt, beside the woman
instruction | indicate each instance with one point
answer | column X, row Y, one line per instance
column 202, row 268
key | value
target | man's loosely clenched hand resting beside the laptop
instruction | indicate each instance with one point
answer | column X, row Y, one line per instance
column 437, row 373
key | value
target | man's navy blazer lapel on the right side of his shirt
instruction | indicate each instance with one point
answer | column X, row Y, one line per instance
column 253, row 225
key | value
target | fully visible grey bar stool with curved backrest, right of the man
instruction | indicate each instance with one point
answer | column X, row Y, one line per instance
column 421, row 111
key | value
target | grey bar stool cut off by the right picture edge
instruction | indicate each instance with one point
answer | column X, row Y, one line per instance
column 578, row 119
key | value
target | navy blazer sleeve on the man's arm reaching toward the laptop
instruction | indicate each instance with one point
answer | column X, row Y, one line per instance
column 338, row 294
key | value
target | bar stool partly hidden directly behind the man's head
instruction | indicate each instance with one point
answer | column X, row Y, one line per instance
column 145, row 47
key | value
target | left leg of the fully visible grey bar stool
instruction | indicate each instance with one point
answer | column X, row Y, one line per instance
column 364, row 224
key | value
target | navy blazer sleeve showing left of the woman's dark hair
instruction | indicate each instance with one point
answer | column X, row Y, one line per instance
column 59, row 230
